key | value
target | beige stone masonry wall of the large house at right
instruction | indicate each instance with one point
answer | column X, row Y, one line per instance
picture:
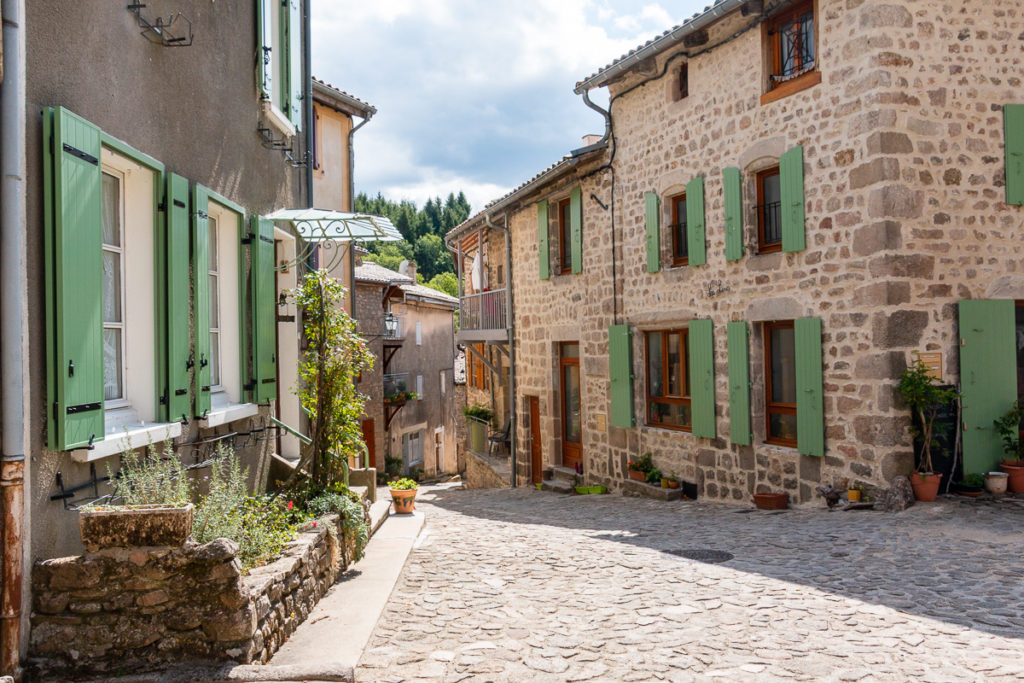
column 904, row 175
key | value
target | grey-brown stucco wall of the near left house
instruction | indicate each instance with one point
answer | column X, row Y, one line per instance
column 196, row 110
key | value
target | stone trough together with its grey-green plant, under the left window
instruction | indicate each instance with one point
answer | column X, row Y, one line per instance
column 150, row 505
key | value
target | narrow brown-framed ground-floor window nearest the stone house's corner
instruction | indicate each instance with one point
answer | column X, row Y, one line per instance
column 781, row 383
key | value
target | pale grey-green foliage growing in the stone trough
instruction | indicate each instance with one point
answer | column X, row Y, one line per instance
column 151, row 479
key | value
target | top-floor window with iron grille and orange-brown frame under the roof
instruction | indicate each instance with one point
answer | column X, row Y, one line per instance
column 792, row 52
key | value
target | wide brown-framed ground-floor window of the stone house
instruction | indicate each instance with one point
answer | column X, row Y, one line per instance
column 669, row 380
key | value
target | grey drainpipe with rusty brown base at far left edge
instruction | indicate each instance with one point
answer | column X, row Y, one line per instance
column 14, row 312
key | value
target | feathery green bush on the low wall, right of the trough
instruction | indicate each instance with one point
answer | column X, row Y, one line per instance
column 259, row 524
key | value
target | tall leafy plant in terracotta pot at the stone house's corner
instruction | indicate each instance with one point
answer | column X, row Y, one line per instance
column 924, row 398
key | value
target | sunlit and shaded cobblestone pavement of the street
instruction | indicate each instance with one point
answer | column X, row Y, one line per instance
column 529, row 586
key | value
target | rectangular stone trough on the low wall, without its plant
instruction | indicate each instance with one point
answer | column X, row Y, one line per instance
column 136, row 527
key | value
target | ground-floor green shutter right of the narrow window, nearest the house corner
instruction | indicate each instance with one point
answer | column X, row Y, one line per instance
column 810, row 412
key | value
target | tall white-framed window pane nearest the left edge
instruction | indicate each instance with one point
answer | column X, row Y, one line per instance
column 114, row 323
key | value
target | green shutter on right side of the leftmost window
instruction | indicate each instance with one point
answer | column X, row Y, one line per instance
column 177, row 334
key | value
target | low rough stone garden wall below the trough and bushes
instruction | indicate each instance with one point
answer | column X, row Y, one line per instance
column 126, row 609
